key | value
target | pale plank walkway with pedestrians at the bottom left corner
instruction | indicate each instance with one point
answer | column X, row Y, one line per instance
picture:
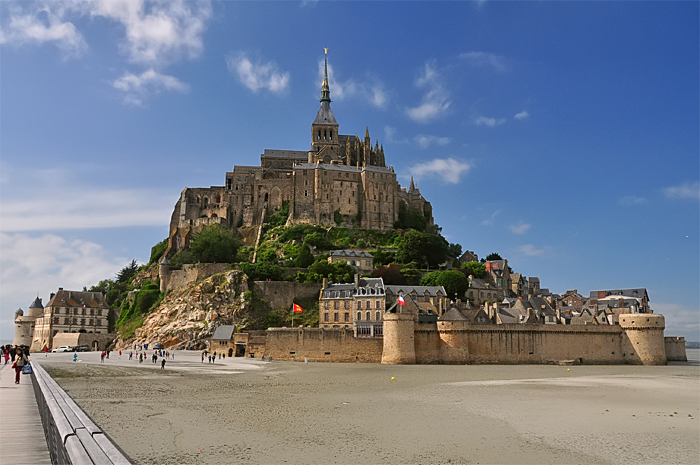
column 22, row 440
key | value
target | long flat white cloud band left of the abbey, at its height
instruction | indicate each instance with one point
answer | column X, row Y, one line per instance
column 56, row 204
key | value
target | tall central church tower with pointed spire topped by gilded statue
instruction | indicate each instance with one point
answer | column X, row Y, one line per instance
column 325, row 142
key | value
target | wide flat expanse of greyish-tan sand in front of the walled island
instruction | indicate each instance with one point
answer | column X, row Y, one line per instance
column 282, row 412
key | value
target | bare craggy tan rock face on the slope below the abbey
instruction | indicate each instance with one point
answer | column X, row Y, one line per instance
column 187, row 317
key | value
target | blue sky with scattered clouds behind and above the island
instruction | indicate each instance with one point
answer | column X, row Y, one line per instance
column 563, row 135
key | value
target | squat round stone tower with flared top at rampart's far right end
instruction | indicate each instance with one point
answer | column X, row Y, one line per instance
column 643, row 338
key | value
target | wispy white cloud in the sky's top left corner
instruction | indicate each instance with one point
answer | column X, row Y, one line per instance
column 43, row 26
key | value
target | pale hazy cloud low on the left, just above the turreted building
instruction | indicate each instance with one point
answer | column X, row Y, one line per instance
column 32, row 264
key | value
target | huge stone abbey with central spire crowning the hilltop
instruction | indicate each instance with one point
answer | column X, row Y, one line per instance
column 340, row 180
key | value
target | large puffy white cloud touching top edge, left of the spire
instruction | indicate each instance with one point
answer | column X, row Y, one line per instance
column 157, row 33
